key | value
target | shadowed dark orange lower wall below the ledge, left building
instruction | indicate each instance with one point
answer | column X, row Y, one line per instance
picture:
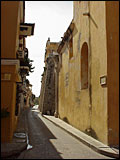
column 8, row 100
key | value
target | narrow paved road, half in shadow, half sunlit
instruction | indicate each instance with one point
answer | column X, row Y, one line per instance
column 51, row 142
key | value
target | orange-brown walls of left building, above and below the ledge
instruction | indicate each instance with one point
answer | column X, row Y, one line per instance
column 11, row 16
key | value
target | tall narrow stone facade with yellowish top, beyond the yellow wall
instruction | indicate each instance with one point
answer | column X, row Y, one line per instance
column 49, row 85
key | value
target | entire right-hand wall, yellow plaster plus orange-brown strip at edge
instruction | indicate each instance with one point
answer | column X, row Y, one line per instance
column 92, row 107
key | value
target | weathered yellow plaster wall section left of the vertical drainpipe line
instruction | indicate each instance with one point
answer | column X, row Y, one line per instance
column 74, row 102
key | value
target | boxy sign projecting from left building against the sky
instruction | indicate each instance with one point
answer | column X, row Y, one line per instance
column 27, row 29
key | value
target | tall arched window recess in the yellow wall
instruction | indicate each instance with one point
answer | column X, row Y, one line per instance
column 84, row 66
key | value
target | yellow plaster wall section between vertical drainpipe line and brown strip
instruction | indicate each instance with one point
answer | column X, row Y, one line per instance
column 98, row 52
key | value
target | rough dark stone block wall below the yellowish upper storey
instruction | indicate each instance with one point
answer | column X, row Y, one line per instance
column 49, row 88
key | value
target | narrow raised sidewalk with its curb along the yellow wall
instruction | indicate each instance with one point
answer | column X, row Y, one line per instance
column 84, row 138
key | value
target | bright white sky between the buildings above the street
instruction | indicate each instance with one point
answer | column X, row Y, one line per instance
column 51, row 19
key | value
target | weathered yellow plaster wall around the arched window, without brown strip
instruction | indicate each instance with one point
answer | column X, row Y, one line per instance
column 87, row 108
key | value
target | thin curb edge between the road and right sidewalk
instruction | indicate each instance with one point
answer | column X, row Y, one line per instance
column 112, row 154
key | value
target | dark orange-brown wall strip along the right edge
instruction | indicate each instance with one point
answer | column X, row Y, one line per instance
column 112, row 26
